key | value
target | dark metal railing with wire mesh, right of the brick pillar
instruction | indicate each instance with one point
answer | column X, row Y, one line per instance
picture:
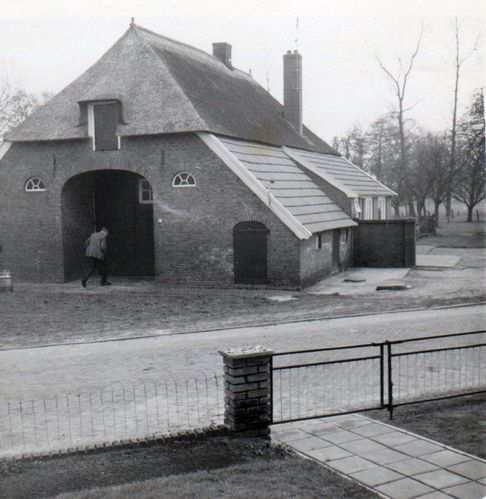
column 385, row 375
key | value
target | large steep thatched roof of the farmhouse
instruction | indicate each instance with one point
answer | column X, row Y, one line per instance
column 168, row 87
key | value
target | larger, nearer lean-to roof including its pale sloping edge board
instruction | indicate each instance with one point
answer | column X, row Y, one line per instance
column 281, row 184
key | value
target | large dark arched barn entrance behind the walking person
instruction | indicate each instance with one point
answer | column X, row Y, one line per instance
column 118, row 200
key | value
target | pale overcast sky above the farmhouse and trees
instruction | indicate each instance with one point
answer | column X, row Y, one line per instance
column 45, row 45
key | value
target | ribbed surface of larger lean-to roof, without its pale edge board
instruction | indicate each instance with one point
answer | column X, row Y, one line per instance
column 292, row 186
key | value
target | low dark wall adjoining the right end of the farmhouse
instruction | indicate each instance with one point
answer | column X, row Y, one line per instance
column 388, row 243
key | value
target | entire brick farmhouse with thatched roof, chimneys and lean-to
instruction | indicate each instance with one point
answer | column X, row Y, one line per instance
column 197, row 171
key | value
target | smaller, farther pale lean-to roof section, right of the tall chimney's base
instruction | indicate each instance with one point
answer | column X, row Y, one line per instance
column 341, row 173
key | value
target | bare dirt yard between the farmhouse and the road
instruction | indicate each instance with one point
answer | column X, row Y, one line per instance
column 39, row 314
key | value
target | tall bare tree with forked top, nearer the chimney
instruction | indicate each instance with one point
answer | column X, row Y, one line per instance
column 399, row 81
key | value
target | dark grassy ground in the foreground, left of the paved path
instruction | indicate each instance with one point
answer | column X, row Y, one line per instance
column 195, row 467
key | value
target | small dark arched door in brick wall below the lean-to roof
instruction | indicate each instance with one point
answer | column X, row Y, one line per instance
column 250, row 253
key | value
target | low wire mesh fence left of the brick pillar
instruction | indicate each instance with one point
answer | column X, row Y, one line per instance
column 113, row 413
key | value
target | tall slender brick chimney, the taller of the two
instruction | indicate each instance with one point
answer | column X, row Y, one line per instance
column 293, row 89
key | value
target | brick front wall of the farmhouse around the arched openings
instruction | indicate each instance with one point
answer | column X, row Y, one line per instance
column 193, row 227
